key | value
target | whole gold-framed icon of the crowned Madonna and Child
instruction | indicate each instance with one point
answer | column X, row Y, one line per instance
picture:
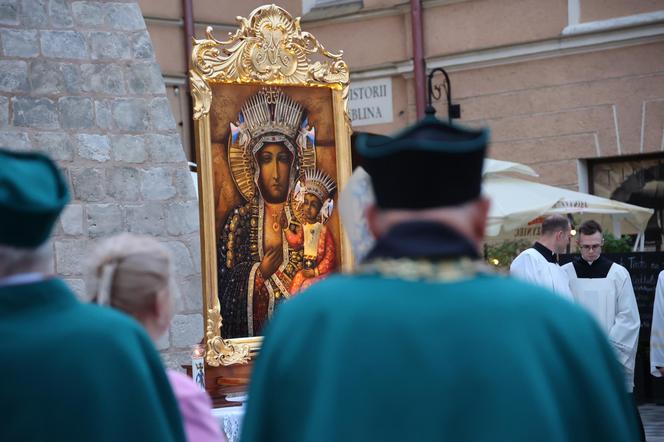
column 273, row 148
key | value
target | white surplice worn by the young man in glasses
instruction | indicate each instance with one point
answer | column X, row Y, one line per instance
column 612, row 302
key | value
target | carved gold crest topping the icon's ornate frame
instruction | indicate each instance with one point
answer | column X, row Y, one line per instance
column 271, row 48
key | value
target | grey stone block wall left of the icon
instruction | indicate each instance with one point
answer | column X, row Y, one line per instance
column 79, row 81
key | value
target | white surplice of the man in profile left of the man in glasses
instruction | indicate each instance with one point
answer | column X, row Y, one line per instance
column 532, row 267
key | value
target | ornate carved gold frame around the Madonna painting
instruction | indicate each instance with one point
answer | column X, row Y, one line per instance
column 268, row 48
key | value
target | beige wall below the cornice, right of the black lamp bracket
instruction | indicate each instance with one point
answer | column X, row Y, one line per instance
column 548, row 113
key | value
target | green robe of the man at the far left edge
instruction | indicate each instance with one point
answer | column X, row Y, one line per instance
column 76, row 372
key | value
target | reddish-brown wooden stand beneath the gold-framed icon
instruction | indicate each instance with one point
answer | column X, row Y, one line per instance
column 223, row 381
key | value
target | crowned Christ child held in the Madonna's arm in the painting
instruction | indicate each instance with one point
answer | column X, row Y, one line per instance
column 315, row 201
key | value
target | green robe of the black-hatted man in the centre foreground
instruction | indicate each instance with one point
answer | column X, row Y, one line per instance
column 485, row 358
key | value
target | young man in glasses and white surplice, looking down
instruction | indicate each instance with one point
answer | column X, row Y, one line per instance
column 604, row 288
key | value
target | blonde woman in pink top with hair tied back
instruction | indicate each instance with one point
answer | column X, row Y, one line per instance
column 134, row 274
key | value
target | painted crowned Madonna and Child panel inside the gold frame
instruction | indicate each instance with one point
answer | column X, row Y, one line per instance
column 274, row 165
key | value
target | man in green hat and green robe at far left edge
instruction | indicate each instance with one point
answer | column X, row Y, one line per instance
column 69, row 371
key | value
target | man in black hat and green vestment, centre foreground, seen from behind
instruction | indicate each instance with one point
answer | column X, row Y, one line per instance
column 422, row 343
